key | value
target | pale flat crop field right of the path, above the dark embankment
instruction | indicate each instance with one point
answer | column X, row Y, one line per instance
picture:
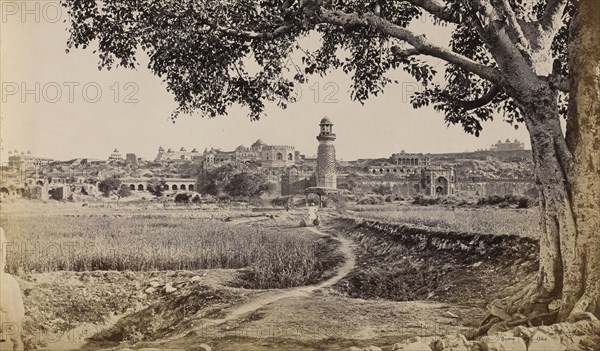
column 521, row 222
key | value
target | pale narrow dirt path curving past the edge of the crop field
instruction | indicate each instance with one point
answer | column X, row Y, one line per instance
column 252, row 306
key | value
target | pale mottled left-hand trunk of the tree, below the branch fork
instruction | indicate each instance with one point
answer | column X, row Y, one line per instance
column 552, row 163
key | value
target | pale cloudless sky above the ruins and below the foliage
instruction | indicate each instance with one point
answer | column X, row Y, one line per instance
column 65, row 127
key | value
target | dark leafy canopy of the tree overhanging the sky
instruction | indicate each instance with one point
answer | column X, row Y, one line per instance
column 213, row 54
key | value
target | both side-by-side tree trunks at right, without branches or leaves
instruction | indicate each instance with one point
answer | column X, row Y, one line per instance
column 568, row 176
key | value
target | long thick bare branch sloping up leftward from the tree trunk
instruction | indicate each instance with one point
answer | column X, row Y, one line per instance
column 419, row 42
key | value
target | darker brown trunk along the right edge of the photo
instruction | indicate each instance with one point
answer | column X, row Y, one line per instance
column 581, row 290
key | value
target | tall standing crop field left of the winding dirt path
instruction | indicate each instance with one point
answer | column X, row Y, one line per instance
column 274, row 259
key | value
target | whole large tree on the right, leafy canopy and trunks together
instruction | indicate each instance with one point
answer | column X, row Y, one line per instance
column 537, row 61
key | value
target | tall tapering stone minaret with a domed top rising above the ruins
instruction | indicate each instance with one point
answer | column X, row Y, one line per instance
column 326, row 172
